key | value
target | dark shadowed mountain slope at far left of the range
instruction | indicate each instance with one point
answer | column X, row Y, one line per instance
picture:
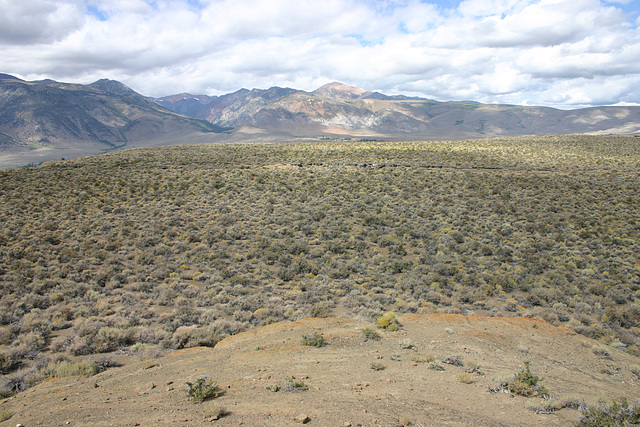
column 43, row 116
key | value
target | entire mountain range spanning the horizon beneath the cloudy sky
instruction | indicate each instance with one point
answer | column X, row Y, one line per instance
column 40, row 118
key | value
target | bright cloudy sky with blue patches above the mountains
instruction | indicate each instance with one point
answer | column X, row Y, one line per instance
column 559, row 53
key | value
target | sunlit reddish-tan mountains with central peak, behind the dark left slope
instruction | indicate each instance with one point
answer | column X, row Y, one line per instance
column 336, row 109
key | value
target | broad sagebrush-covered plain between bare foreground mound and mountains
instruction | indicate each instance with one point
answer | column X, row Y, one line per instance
column 176, row 247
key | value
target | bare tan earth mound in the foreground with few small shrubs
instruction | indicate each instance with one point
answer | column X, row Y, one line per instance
column 344, row 390
